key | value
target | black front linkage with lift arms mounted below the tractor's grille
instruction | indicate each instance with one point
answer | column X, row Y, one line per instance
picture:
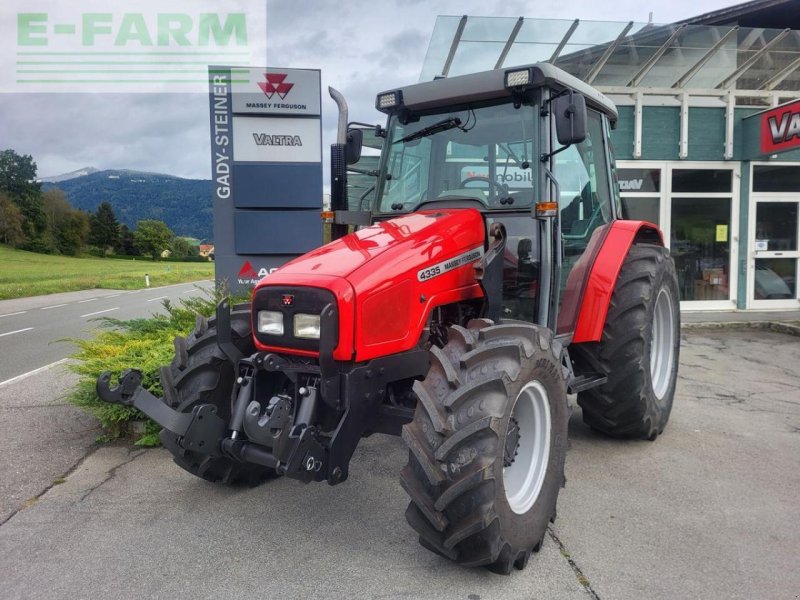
column 280, row 431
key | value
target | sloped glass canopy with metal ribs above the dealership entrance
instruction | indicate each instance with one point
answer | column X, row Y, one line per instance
column 625, row 54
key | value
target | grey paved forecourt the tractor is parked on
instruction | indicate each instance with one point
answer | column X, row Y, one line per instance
column 708, row 510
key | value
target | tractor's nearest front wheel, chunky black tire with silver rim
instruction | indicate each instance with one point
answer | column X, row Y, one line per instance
column 487, row 445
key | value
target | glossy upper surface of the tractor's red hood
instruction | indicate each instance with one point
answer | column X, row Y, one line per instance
column 417, row 238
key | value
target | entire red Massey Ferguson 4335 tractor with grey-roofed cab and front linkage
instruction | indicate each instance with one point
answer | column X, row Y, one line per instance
column 492, row 275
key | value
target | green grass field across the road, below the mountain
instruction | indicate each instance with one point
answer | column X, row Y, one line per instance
column 25, row 274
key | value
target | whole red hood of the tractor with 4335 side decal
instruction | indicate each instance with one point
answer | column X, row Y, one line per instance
column 388, row 277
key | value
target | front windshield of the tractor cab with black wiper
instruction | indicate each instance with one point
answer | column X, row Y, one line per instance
column 480, row 154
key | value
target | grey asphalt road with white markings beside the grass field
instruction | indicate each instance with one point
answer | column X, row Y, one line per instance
column 33, row 330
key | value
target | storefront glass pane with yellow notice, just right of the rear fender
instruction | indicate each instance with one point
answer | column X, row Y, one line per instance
column 700, row 245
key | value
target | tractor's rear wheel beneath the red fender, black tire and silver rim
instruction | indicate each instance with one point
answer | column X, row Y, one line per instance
column 639, row 349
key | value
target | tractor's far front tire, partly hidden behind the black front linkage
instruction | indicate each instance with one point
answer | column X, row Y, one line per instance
column 200, row 373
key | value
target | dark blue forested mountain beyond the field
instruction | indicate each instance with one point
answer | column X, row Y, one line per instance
column 183, row 204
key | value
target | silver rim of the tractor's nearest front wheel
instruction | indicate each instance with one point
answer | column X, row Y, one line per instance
column 523, row 479
